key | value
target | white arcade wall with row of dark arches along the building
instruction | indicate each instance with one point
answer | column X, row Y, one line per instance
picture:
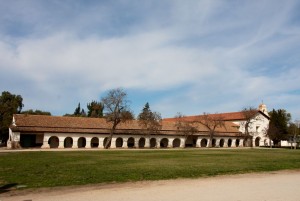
column 57, row 141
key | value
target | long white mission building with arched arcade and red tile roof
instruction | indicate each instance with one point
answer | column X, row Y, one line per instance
column 40, row 131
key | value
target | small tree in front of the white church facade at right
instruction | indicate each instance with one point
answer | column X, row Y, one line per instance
column 249, row 115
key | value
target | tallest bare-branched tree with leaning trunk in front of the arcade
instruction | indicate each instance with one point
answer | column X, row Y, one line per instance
column 116, row 110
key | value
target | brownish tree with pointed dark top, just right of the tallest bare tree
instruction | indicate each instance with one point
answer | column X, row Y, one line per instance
column 149, row 121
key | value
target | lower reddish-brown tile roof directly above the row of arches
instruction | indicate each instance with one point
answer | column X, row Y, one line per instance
column 41, row 123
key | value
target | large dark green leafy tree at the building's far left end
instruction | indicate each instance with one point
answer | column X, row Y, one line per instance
column 9, row 104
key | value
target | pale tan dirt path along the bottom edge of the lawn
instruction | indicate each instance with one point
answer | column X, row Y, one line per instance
column 275, row 186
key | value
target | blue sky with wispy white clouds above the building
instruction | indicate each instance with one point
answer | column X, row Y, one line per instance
column 180, row 56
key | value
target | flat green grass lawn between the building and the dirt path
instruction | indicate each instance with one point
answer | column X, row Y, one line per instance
column 48, row 169
